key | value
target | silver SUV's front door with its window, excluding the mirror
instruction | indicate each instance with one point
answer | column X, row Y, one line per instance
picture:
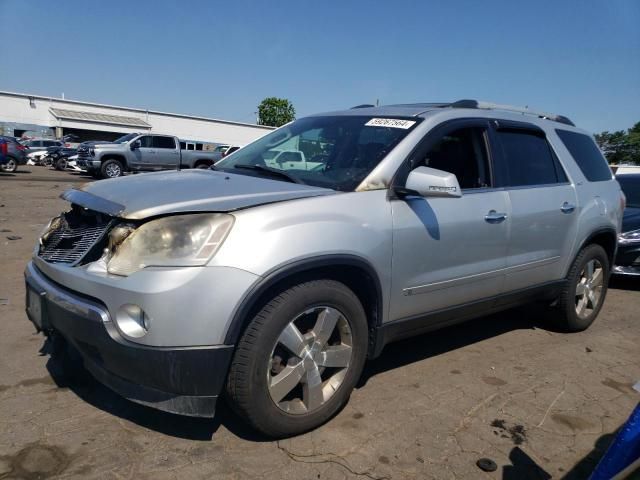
column 450, row 251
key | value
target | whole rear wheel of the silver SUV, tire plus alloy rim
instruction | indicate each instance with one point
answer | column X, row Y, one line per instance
column 583, row 295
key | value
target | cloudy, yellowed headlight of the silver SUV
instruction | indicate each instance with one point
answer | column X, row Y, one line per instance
column 178, row 241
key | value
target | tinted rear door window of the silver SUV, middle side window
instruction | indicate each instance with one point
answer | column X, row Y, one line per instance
column 529, row 158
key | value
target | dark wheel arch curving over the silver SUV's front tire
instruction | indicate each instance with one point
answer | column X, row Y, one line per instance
column 355, row 272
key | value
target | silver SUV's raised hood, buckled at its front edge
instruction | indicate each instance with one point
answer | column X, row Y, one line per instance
column 152, row 194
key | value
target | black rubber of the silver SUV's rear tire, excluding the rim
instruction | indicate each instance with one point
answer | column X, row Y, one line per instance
column 567, row 317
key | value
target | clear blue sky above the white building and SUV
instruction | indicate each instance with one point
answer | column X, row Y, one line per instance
column 220, row 59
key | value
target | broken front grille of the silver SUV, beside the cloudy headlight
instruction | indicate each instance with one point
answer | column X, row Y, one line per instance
column 73, row 235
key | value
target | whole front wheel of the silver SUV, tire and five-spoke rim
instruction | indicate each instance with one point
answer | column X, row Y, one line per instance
column 299, row 359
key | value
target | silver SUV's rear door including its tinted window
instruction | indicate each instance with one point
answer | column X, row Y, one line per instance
column 543, row 202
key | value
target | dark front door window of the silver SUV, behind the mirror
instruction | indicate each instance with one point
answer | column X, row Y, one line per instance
column 462, row 152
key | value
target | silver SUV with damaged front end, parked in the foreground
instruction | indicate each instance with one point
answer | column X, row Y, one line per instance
column 274, row 281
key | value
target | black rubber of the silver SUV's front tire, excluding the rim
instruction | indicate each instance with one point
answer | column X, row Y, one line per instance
column 247, row 382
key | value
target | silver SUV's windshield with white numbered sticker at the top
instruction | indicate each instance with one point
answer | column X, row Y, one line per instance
column 331, row 152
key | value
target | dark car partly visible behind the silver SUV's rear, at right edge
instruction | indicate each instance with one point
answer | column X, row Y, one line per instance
column 628, row 256
